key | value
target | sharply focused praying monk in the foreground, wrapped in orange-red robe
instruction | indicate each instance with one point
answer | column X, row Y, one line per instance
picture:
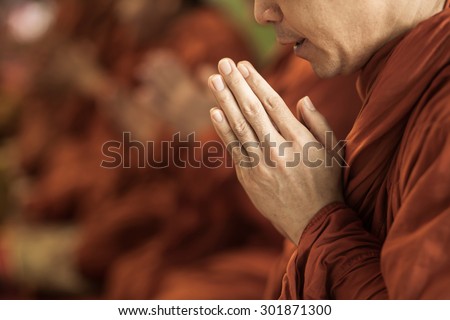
column 382, row 231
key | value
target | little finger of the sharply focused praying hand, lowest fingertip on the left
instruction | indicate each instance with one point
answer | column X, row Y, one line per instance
column 227, row 135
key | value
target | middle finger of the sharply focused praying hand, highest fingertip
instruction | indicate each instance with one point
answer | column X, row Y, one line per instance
column 248, row 102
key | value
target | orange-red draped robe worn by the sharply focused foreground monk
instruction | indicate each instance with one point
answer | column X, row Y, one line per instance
column 390, row 239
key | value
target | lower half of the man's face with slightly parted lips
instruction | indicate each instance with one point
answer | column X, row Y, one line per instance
column 336, row 36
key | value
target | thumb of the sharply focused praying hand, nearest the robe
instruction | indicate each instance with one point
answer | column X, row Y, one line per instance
column 319, row 126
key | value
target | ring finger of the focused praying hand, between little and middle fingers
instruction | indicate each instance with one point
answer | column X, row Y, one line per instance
column 239, row 125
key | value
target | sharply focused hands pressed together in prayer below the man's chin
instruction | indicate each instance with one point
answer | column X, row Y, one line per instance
column 286, row 168
